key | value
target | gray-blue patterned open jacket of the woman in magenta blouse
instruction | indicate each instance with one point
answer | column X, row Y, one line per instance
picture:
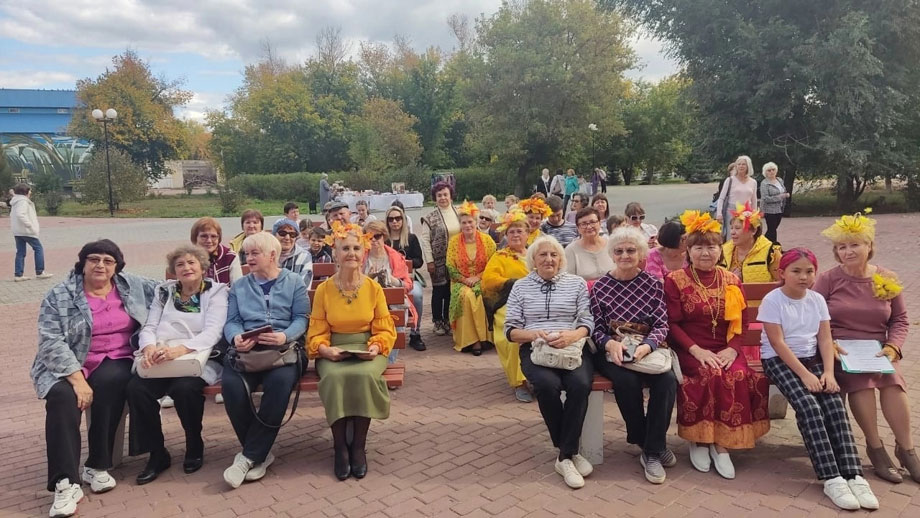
column 65, row 325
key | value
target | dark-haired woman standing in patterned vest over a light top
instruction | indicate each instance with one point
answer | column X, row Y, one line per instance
column 438, row 227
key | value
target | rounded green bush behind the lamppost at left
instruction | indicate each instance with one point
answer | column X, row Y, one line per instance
column 129, row 181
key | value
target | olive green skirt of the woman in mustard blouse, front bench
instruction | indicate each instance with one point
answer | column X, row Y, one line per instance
column 353, row 387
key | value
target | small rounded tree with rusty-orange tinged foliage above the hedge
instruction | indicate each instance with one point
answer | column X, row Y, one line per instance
column 383, row 138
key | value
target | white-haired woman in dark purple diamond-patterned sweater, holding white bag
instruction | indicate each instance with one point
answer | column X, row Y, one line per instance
column 630, row 298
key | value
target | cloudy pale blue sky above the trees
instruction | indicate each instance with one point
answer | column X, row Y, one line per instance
column 52, row 43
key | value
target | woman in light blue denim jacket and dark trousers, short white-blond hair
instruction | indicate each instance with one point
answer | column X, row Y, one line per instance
column 269, row 296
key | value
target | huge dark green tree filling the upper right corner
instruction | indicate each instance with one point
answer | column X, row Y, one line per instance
column 827, row 87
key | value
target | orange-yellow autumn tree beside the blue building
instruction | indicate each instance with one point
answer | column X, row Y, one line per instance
column 146, row 128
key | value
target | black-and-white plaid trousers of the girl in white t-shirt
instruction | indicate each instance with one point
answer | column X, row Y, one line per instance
column 821, row 418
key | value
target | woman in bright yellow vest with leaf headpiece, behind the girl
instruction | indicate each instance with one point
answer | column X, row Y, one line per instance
column 749, row 255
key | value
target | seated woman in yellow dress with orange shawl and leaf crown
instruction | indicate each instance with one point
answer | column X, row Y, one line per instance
column 467, row 255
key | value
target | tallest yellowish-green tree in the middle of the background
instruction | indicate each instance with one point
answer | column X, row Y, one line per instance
column 543, row 70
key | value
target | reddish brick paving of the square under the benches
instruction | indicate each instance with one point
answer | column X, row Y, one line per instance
column 456, row 443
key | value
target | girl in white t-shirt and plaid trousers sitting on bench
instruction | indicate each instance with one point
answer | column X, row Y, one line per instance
column 796, row 344
